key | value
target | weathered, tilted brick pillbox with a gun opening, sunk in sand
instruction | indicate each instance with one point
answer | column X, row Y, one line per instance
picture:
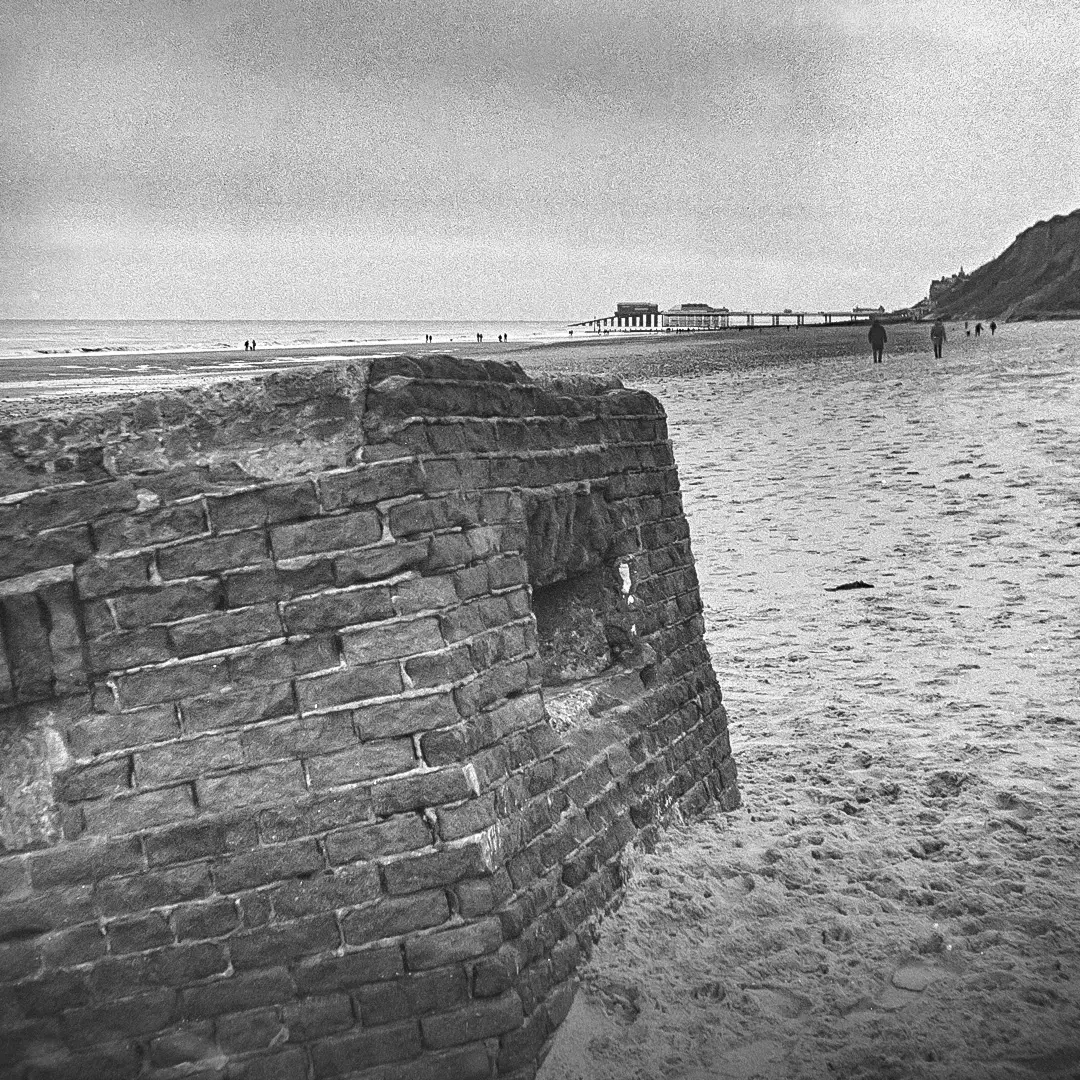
column 328, row 705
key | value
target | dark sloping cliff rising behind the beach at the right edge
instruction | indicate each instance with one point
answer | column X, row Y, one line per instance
column 1037, row 277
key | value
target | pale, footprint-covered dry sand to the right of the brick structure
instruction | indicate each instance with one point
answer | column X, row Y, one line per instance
column 898, row 896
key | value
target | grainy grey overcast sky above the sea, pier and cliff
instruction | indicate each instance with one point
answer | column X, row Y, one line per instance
column 358, row 159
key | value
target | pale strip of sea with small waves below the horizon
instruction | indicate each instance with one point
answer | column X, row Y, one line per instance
column 49, row 337
